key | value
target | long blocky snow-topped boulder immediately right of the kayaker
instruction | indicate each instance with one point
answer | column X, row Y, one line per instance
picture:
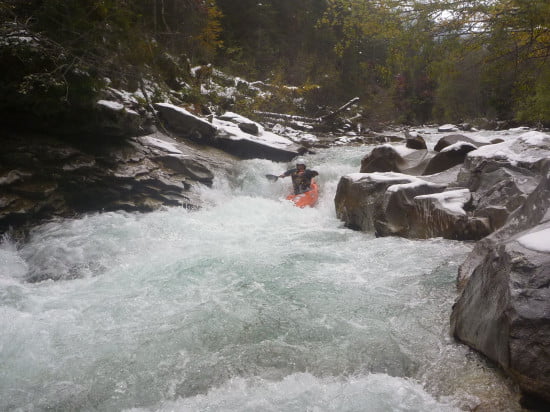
column 400, row 205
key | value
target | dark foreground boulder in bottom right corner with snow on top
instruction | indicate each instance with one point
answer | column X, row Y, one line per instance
column 504, row 310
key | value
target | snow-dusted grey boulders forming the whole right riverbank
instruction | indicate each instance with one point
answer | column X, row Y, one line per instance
column 493, row 191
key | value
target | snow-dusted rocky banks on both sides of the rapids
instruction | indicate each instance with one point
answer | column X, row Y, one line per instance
column 493, row 190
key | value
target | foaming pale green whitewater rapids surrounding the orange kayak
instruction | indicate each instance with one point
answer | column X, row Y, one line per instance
column 249, row 304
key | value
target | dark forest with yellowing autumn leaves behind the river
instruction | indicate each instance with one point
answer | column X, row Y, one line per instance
column 409, row 61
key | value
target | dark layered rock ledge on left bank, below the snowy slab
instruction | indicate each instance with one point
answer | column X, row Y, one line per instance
column 42, row 178
